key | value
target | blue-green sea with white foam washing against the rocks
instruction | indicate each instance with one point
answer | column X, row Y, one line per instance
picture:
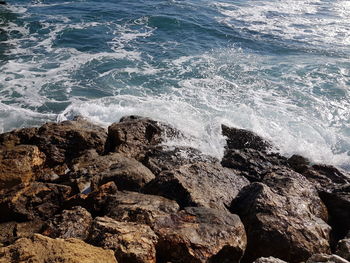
column 279, row 68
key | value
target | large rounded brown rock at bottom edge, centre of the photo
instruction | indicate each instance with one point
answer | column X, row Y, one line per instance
column 199, row 234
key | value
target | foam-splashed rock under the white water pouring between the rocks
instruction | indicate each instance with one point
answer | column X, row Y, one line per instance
column 162, row 158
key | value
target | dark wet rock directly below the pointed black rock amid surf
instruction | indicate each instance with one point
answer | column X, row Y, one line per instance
column 253, row 164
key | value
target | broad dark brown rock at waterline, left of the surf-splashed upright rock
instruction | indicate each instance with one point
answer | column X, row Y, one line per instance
column 61, row 142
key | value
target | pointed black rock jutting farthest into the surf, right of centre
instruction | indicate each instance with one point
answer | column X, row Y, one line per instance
column 242, row 139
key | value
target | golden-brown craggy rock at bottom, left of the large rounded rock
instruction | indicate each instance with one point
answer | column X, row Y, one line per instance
column 132, row 243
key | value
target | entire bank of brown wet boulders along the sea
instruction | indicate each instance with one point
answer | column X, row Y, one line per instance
column 75, row 192
